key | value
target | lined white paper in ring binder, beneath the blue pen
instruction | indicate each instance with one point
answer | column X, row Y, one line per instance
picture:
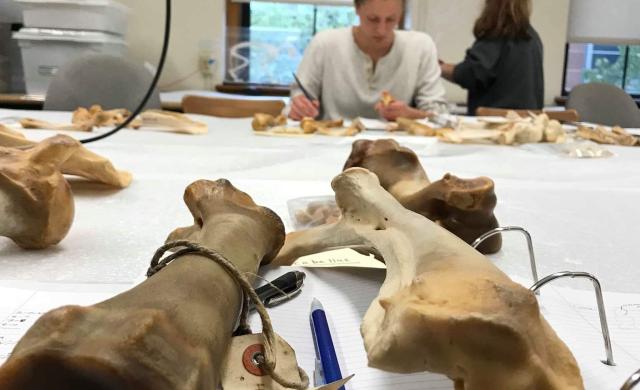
column 347, row 293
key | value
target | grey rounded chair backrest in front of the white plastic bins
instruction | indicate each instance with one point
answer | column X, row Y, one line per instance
column 110, row 81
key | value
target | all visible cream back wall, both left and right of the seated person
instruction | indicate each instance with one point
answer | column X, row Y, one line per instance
column 200, row 25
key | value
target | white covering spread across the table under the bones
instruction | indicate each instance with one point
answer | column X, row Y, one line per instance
column 582, row 214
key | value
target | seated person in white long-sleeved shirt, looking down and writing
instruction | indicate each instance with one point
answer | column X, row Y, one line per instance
column 347, row 69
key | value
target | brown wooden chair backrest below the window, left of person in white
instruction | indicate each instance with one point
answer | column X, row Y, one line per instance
column 230, row 108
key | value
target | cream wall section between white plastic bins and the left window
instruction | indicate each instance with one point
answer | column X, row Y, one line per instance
column 197, row 27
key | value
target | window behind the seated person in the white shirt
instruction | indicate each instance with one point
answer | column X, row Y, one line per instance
column 268, row 44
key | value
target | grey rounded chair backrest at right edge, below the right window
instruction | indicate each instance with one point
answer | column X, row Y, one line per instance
column 604, row 104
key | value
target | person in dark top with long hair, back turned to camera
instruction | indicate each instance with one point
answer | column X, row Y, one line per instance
column 503, row 68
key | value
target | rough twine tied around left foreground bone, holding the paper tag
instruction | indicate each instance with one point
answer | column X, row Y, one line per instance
column 267, row 362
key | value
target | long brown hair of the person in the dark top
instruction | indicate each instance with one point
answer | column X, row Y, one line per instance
column 504, row 19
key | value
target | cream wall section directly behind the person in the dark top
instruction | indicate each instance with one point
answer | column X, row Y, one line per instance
column 450, row 23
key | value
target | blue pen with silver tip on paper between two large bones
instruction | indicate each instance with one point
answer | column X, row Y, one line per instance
column 324, row 344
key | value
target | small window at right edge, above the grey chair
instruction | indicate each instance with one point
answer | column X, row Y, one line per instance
column 613, row 64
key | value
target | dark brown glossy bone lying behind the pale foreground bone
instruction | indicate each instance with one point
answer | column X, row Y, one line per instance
column 462, row 206
